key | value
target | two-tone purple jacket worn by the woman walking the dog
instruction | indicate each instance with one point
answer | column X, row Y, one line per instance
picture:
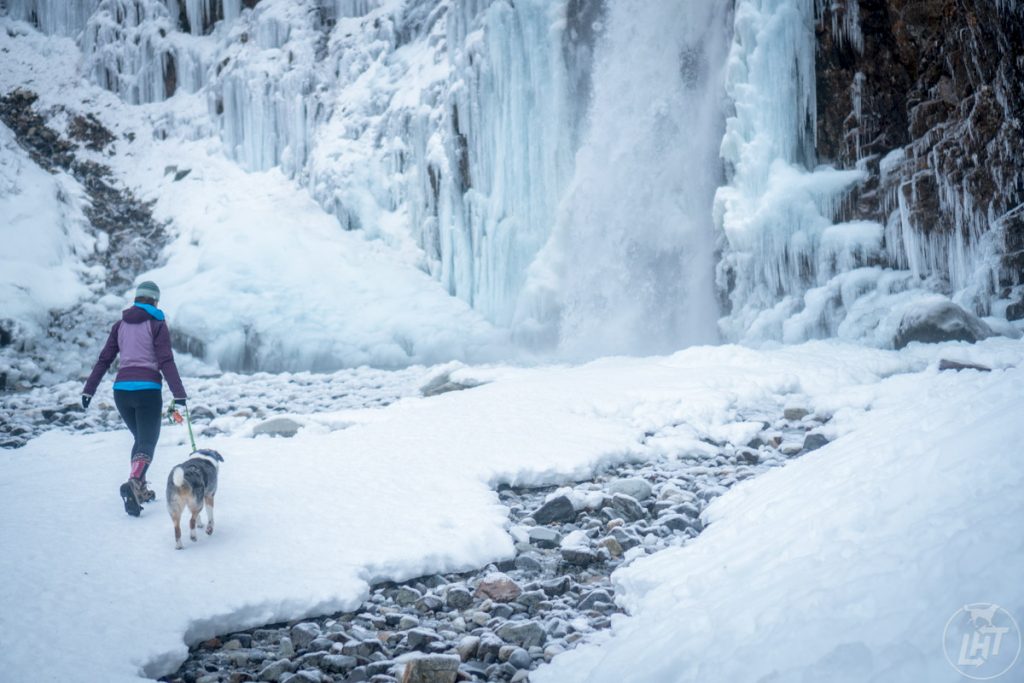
column 145, row 345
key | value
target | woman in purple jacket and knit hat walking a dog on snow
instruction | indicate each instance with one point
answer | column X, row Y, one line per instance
column 144, row 341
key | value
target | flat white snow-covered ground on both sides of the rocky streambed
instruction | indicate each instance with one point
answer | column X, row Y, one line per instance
column 848, row 562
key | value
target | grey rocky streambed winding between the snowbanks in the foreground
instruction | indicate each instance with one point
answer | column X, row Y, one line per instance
column 503, row 621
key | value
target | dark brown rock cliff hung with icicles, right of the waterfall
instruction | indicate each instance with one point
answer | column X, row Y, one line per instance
column 928, row 98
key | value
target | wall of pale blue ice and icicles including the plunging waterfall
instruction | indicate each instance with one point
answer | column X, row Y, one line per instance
column 663, row 193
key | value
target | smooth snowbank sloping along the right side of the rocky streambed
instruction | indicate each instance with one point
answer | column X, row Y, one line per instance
column 846, row 565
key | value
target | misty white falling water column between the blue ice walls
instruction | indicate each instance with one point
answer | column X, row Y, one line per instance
column 629, row 268
